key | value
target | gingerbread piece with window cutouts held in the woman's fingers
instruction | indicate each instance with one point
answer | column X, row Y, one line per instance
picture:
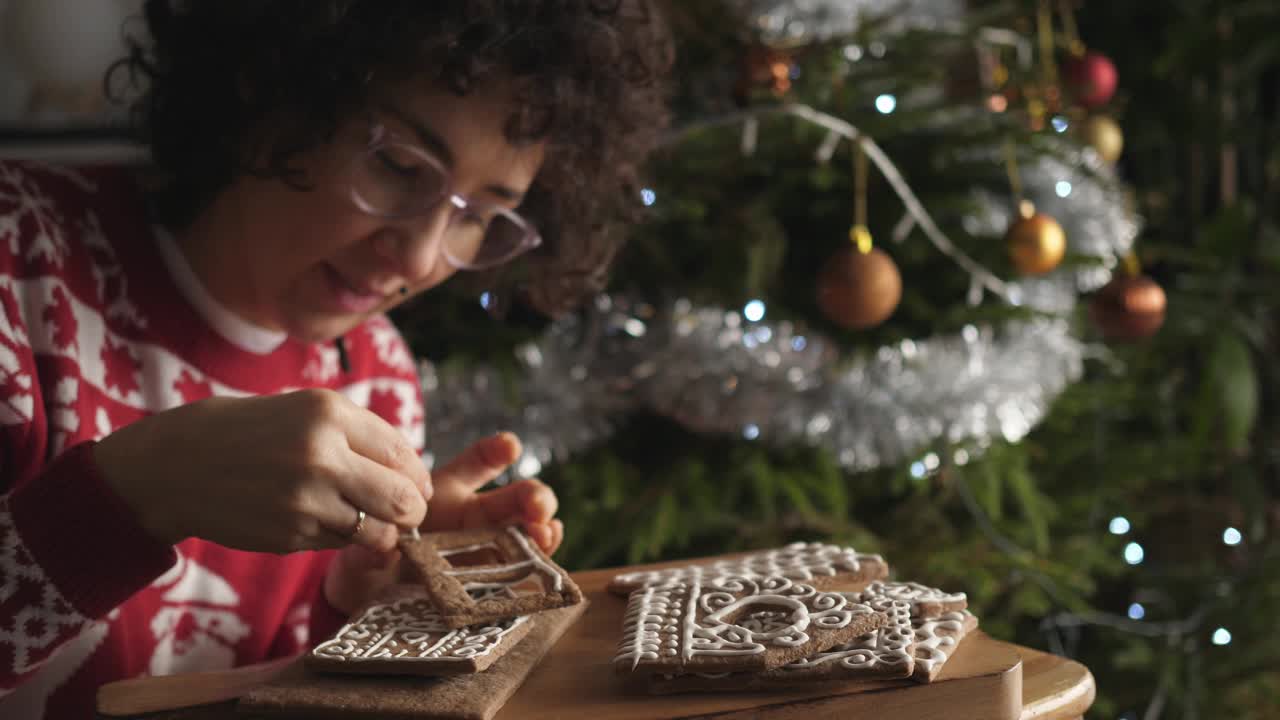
column 487, row 575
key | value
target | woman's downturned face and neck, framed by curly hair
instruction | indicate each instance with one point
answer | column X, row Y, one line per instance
column 314, row 265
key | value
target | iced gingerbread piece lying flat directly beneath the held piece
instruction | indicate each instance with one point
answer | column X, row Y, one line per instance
column 401, row 634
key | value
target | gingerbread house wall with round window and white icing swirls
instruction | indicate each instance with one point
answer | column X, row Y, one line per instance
column 737, row 625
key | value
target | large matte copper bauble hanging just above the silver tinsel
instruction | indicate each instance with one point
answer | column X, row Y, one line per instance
column 860, row 290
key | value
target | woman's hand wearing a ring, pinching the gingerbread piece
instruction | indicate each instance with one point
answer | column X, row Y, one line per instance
column 272, row 475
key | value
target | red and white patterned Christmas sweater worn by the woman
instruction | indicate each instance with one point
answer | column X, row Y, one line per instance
column 98, row 329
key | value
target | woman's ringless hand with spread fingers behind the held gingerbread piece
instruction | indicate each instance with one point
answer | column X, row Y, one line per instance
column 358, row 573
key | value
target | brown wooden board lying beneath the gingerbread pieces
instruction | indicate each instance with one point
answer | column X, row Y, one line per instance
column 985, row 680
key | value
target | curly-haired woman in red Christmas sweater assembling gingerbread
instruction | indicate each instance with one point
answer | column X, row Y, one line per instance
column 203, row 399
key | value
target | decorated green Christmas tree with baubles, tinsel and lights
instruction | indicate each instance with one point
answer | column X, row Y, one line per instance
column 903, row 285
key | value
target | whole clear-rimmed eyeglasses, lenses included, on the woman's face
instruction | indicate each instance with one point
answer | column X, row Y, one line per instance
column 396, row 180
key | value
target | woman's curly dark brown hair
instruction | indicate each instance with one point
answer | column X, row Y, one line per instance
column 589, row 79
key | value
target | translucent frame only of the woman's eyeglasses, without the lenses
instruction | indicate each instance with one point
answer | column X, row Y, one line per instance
column 380, row 138
